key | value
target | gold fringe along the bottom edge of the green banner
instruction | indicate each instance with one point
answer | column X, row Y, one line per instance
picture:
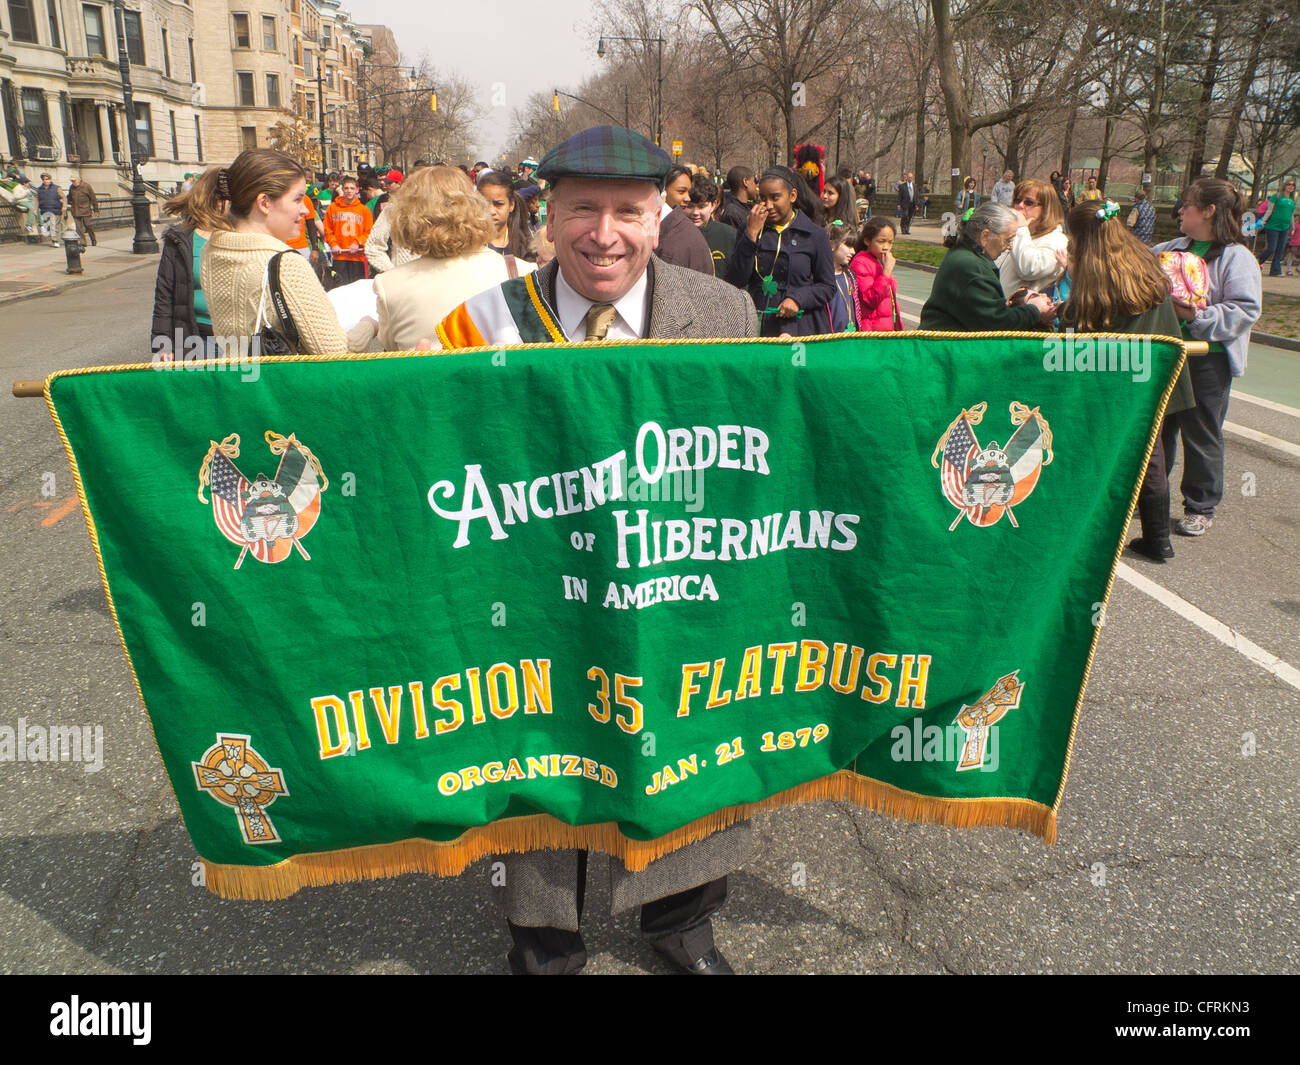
column 541, row 832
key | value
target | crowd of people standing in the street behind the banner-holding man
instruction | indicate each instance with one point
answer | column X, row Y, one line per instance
column 382, row 258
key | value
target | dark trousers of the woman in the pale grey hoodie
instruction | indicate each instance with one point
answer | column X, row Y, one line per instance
column 1202, row 430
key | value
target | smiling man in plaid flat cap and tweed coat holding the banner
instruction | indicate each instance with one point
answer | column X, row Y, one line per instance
column 605, row 284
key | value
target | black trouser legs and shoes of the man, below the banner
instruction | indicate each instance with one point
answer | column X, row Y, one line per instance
column 677, row 927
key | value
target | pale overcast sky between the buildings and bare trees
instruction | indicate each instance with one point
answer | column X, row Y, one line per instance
column 528, row 46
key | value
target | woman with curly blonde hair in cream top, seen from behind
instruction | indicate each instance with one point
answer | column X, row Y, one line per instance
column 447, row 223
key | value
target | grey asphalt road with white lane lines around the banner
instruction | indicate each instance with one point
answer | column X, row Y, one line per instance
column 1178, row 837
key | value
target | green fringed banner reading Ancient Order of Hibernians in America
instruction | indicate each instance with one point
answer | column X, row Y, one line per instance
column 395, row 613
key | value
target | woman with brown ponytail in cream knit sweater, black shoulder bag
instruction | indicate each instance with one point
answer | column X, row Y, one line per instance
column 266, row 192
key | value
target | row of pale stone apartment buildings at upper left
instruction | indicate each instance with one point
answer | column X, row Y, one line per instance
column 209, row 77
